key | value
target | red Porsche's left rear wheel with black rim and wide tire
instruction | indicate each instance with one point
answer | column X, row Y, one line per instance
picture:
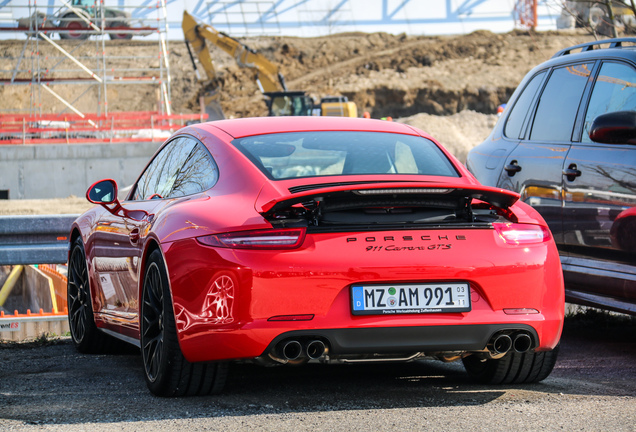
column 166, row 370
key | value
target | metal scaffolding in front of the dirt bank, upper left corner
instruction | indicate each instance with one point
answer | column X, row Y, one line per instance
column 75, row 75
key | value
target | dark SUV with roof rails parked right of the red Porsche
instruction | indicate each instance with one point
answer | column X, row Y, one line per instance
column 567, row 144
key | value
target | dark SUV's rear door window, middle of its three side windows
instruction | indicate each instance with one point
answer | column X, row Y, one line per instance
column 559, row 103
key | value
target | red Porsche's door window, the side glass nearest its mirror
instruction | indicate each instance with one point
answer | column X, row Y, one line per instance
column 161, row 174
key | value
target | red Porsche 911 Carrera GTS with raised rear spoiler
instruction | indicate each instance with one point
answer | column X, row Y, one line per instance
column 288, row 240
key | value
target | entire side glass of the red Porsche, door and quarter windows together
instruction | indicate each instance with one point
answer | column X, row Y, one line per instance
column 183, row 167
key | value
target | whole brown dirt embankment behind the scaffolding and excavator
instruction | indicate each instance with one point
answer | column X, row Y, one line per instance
column 396, row 75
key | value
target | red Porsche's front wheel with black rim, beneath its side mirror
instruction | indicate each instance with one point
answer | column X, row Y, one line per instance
column 87, row 338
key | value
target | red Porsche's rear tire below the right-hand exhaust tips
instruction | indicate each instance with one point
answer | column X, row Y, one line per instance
column 513, row 368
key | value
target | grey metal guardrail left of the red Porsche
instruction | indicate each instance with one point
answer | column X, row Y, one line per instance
column 35, row 239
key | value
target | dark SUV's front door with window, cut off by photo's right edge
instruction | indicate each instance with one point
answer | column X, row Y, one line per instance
column 599, row 189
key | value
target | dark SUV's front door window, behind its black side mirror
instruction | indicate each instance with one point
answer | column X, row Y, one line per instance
column 614, row 90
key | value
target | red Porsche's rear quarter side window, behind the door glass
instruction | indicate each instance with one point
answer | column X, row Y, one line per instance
column 198, row 173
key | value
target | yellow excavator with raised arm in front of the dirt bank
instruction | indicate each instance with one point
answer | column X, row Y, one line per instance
column 280, row 101
